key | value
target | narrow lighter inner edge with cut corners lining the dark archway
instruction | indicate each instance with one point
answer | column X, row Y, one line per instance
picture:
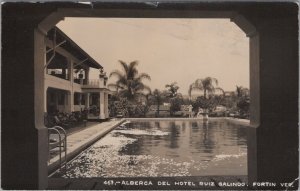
column 246, row 26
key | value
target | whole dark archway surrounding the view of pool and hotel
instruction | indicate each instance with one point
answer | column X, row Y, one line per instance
column 275, row 133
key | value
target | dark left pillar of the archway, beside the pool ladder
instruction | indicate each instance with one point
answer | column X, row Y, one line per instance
column 24, row 136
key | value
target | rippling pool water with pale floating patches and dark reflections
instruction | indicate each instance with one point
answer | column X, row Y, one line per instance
column 165, row 149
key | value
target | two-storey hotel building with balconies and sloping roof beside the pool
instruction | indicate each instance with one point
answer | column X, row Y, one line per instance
column 68, row 87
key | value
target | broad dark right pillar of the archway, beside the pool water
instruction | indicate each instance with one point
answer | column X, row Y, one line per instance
column 273, row 139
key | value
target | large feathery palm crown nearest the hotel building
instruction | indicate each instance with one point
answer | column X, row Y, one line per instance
column 129, row 83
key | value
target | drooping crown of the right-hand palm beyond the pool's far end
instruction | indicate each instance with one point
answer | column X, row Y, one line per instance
column 207, row 85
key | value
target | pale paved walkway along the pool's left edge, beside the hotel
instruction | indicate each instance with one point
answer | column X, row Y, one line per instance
column 80, row 140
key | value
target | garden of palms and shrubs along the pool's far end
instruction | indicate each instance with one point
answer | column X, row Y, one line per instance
column 131, row 97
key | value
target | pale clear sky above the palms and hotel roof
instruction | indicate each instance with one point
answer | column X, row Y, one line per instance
column 169, row 50
